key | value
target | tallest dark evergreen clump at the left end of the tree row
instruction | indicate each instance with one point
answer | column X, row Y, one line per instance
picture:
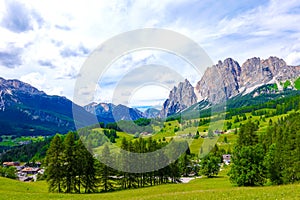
column 69, row 166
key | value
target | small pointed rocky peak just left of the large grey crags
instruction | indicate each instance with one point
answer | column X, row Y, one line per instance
column 180, row 97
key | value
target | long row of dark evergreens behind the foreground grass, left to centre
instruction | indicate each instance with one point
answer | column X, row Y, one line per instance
column 70, row 167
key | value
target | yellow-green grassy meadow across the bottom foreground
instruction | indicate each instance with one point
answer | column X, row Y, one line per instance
column 202, row 188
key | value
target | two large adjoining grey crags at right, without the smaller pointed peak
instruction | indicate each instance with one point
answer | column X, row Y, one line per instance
column 225, row 80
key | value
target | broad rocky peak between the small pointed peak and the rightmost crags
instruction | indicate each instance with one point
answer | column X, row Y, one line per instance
column 220, row 81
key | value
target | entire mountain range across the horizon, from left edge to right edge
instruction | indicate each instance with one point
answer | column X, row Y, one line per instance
column 27, row 111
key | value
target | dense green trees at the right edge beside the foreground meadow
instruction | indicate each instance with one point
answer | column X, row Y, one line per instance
column 273, row 156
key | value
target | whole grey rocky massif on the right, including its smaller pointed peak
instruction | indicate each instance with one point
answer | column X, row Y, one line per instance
column 228, row 79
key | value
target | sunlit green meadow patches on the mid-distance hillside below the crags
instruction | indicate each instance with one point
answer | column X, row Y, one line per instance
column 167, row 132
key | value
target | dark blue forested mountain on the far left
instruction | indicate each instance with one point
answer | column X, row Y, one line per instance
column 27, row 111
